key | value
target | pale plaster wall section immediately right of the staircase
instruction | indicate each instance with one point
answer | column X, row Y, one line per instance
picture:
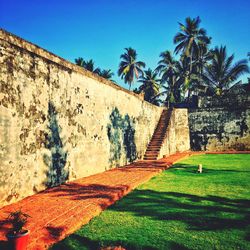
column 177, row 137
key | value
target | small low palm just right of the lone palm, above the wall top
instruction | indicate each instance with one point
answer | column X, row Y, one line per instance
column 150, row 86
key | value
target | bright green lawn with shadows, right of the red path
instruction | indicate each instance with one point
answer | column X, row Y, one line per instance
column 178, row 209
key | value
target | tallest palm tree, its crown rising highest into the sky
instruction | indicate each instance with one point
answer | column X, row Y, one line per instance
column 189, row 39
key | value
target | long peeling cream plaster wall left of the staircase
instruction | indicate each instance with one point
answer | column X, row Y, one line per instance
column 59, row 122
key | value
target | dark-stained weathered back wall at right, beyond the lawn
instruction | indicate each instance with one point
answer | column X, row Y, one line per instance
column 219, row 129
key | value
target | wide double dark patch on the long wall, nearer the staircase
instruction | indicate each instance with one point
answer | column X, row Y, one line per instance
column 121, row 134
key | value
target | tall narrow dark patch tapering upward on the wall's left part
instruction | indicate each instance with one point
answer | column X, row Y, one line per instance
column 56, row 162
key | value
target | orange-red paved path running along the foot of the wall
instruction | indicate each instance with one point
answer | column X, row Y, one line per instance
column 58, row 212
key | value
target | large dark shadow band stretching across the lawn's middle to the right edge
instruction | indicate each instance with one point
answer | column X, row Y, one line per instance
column 197, row 212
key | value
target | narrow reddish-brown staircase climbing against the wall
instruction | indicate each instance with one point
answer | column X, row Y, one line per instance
column 154, row 146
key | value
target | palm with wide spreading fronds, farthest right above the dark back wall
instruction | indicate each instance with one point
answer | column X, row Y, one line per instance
column 221, row 74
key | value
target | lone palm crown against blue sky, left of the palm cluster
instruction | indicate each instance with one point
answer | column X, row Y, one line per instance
column 129, row 68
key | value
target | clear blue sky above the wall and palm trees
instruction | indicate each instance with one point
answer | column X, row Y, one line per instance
column 101, row 29
